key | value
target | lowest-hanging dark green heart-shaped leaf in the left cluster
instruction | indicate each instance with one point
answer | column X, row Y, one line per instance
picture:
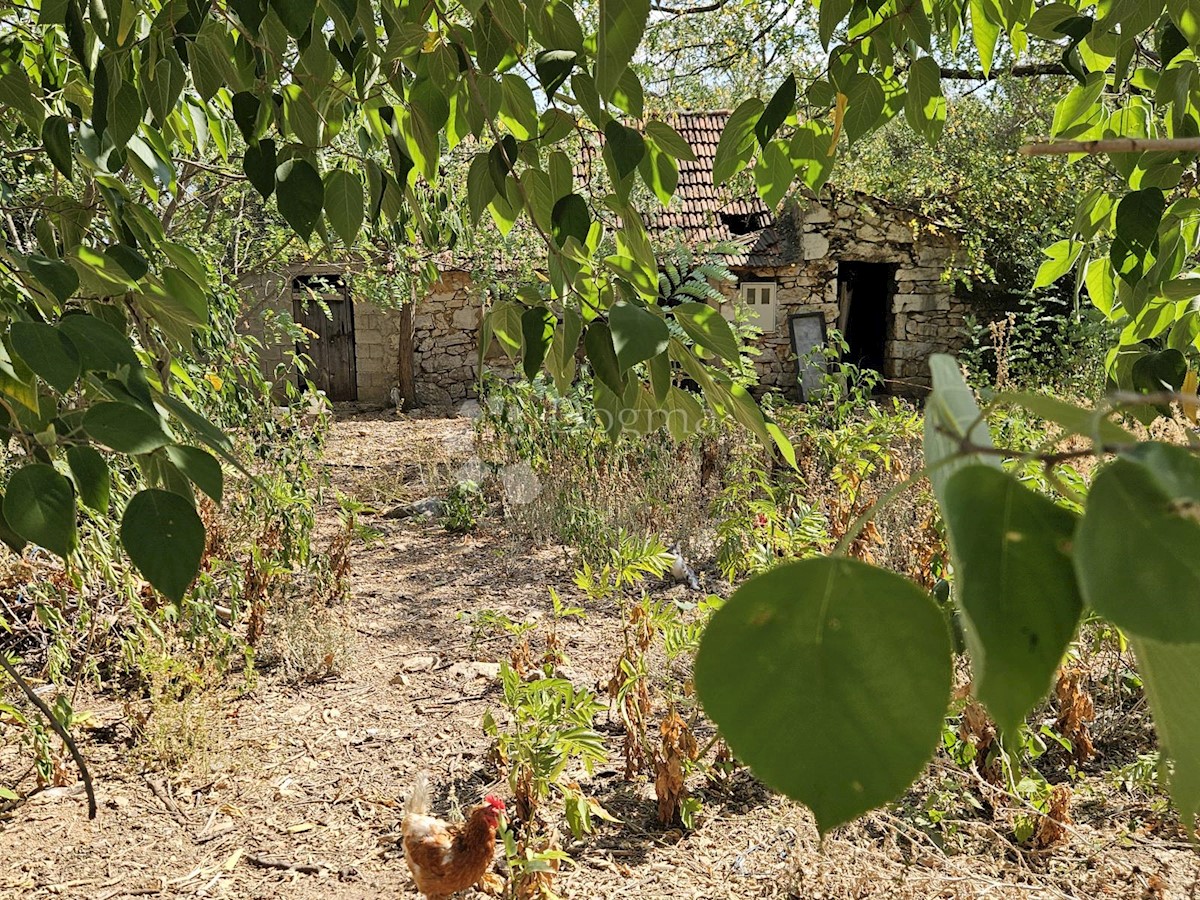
column 165, row 539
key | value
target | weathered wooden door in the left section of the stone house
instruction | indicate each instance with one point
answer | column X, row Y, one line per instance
column 332, row 344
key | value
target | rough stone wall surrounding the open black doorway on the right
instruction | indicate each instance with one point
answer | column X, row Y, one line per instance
column 925, row 317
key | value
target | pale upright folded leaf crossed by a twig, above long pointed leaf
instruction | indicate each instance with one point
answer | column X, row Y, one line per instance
column 952, row 417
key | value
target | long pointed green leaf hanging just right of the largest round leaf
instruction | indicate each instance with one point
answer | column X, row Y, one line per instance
column 1015, row 585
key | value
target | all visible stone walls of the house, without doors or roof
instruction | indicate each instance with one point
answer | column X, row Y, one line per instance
column 925, row 317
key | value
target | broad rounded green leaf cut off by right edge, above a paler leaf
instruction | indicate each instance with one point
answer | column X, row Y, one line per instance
column 1136, row 549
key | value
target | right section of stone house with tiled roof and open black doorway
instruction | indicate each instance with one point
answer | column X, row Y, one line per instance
column 877, row 273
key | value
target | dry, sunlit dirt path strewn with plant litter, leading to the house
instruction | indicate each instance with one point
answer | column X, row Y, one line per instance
column 314, row 776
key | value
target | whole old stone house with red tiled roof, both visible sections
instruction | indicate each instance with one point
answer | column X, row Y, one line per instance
column 845, row 261
